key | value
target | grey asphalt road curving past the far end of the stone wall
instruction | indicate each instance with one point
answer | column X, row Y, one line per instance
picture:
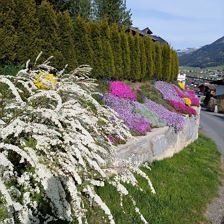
column 212, row 124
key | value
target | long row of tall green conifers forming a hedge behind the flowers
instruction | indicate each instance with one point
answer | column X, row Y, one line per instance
column 30, row 26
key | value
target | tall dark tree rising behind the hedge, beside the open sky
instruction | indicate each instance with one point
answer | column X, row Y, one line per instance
column 114, row 10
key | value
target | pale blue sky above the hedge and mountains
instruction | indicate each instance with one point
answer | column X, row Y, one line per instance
column 183, row 23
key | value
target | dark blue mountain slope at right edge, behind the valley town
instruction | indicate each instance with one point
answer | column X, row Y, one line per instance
column 206, row 56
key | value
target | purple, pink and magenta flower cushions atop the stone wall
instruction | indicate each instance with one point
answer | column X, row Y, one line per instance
column 141, row 117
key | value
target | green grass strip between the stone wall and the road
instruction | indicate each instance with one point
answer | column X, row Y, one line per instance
column 185, row 184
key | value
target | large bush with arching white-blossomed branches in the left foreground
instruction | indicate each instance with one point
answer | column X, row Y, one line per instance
column 54, row 148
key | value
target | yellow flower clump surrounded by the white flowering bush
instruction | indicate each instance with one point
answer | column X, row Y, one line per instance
column 45, row 81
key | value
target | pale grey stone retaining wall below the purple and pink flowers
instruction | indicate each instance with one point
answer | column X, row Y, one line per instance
column 158, row 144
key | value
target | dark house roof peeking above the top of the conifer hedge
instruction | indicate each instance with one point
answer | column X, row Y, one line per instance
column 146, row 32
